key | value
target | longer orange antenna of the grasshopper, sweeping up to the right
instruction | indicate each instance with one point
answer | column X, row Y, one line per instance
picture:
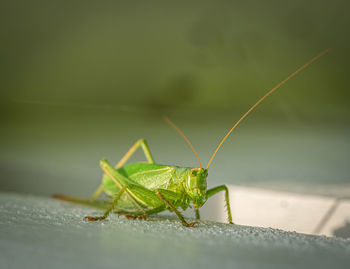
column 266, row 95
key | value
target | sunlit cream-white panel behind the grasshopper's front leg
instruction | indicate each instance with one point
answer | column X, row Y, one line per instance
column 311, row 214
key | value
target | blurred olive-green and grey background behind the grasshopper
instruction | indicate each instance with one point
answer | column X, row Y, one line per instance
column 85, row 80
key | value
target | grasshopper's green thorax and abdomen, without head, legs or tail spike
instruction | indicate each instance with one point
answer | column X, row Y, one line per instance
column 151, row 176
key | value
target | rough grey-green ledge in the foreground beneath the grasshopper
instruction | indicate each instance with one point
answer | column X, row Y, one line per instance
column 40, row 232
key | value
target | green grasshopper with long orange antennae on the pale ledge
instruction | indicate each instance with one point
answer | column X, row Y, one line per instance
column 141, row 189
